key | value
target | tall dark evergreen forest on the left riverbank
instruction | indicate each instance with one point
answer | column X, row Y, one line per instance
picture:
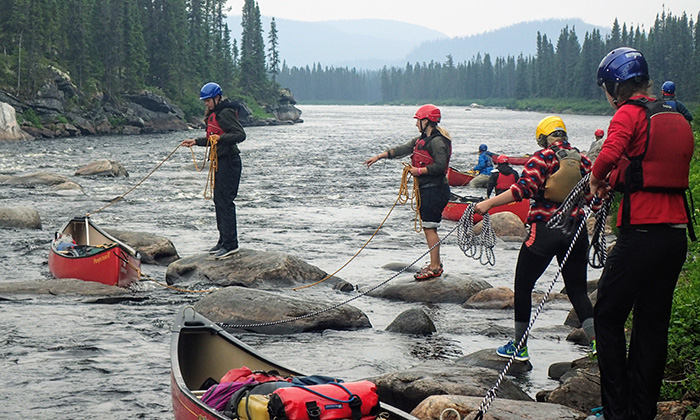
column 110, row 47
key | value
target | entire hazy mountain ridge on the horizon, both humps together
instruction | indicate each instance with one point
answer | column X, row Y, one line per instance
column 370, row 44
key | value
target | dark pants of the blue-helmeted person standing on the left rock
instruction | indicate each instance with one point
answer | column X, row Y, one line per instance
column 226, row 181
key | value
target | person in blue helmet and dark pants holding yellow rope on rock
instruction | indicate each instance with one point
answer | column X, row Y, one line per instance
column 225, row 132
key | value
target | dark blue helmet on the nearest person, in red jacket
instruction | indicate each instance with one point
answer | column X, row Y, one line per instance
column 622, row 64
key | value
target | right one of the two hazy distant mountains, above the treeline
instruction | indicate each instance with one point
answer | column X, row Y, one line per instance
column 511, row 40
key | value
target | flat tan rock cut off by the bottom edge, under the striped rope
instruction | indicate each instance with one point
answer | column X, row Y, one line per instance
column 500, row 409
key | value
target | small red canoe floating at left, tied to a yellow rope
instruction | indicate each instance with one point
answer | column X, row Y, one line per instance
column 81, row 250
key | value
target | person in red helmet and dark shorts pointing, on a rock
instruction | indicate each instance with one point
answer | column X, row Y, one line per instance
column 430, row 158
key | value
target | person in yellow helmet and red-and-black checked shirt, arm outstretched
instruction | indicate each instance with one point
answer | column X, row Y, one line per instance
column 546, row 190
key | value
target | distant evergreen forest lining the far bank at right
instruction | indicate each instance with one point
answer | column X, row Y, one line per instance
column 561, row 68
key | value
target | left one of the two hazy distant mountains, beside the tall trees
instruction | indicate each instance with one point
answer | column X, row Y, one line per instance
column 365, row 43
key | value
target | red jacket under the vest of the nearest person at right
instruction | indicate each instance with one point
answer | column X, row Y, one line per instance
column 627, row 133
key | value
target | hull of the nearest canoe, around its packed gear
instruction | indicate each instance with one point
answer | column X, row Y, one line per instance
column 200, row 349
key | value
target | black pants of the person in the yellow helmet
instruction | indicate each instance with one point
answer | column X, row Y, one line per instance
column 535, row 255
